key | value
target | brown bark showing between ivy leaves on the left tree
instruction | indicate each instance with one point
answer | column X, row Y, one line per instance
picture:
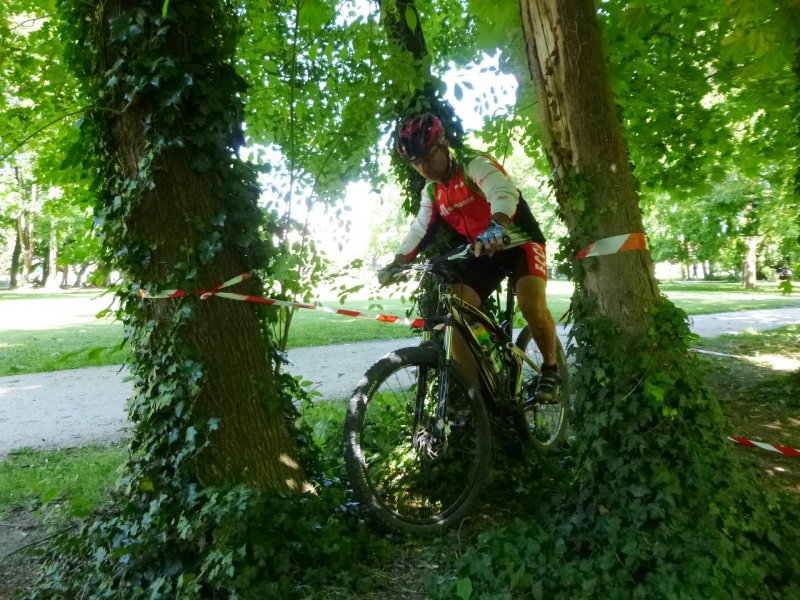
column 252, row 444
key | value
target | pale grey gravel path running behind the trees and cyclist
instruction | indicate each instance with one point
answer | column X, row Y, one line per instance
column 82, row 406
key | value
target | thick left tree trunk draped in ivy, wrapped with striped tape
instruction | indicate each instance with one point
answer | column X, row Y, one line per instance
column 180, row 212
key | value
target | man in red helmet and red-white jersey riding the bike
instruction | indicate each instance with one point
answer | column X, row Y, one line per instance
column 470, row 192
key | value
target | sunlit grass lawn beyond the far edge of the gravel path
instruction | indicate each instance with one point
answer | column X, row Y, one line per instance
column 48, row 331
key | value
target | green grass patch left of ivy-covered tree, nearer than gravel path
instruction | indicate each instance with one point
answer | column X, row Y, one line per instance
column 77, row 477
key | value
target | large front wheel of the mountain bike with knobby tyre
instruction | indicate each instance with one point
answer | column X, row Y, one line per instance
column 411, row 472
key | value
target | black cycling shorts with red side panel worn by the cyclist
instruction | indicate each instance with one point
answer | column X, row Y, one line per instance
column 484, row 274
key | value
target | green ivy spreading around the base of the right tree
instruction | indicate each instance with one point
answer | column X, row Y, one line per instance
column 658, row 507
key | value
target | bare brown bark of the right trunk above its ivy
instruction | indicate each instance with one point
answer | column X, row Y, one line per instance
column 595, row 187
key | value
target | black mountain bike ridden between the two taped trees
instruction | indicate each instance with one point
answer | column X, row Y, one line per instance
column 418, row 433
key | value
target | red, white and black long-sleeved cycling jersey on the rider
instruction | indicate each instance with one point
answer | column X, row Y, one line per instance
column 479, row 188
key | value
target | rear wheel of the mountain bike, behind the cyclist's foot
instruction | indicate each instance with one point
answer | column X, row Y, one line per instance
column 545, row 424
